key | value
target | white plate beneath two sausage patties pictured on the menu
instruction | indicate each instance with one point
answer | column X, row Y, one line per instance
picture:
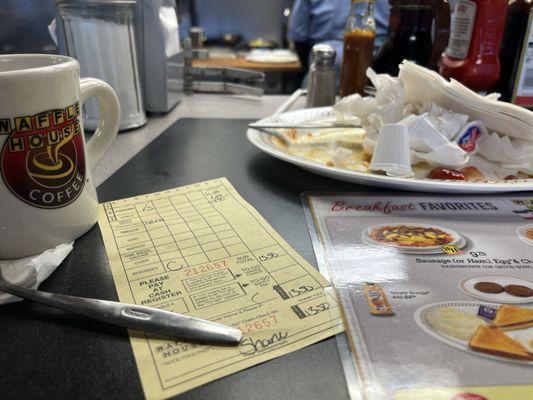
column 467, row 286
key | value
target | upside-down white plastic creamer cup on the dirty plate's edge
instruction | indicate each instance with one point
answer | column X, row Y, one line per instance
column 392, row 154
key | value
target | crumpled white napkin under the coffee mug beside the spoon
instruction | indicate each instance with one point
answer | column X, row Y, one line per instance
column 31, row 271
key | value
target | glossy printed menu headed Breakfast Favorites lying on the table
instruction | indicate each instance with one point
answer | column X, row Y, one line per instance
column 436, row 292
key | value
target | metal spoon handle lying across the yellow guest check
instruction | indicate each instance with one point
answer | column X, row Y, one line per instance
column 132, row 316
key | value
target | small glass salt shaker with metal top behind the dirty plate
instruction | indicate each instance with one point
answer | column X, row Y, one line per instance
column 321, row 82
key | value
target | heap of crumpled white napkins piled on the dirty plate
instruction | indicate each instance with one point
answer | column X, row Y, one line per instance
column 435, row 130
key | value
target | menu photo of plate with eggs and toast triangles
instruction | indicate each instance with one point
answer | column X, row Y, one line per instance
column 501, row 332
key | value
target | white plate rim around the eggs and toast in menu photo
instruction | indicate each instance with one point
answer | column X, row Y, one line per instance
column 467, row 307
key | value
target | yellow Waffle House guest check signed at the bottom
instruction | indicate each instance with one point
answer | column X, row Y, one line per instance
column 201, row 250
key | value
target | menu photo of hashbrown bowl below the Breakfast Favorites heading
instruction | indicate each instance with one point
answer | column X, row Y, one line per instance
column 414, row 238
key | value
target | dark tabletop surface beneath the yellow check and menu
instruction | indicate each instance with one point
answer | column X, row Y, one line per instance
column 46, row 353
